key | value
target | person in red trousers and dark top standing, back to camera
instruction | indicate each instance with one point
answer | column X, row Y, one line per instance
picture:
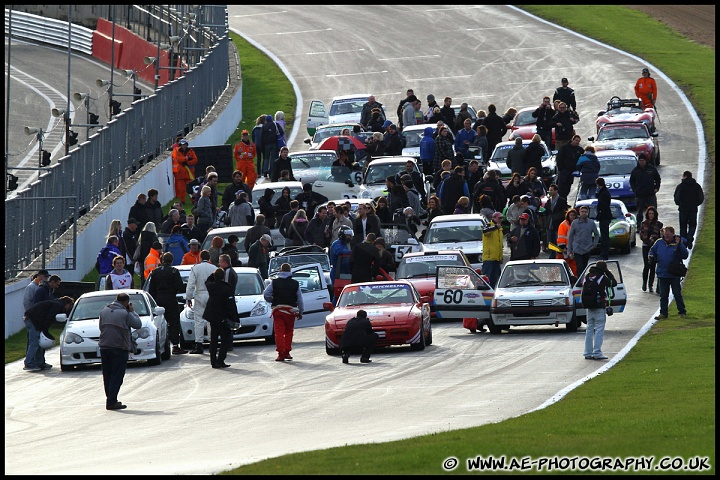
column 285, row 296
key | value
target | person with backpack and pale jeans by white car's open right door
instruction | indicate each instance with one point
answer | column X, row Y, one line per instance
column 594, row 298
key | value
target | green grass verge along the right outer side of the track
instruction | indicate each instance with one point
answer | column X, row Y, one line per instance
column 660, row 400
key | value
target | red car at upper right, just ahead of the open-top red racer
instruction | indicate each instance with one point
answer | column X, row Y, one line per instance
column 633, row 136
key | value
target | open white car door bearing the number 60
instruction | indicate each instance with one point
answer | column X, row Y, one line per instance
column 461, row 293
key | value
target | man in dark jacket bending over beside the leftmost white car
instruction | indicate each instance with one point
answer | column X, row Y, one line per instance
column 38, row 318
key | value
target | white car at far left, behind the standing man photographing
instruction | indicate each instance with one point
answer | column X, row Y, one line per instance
column 80, row 336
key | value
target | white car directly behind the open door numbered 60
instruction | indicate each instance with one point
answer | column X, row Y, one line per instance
column 457, row 232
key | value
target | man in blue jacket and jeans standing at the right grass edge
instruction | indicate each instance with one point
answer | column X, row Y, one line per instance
column 663, row 253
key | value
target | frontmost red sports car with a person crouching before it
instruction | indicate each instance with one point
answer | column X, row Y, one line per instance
column 399, row 315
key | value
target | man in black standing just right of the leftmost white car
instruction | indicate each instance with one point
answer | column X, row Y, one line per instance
column 165, row 284
